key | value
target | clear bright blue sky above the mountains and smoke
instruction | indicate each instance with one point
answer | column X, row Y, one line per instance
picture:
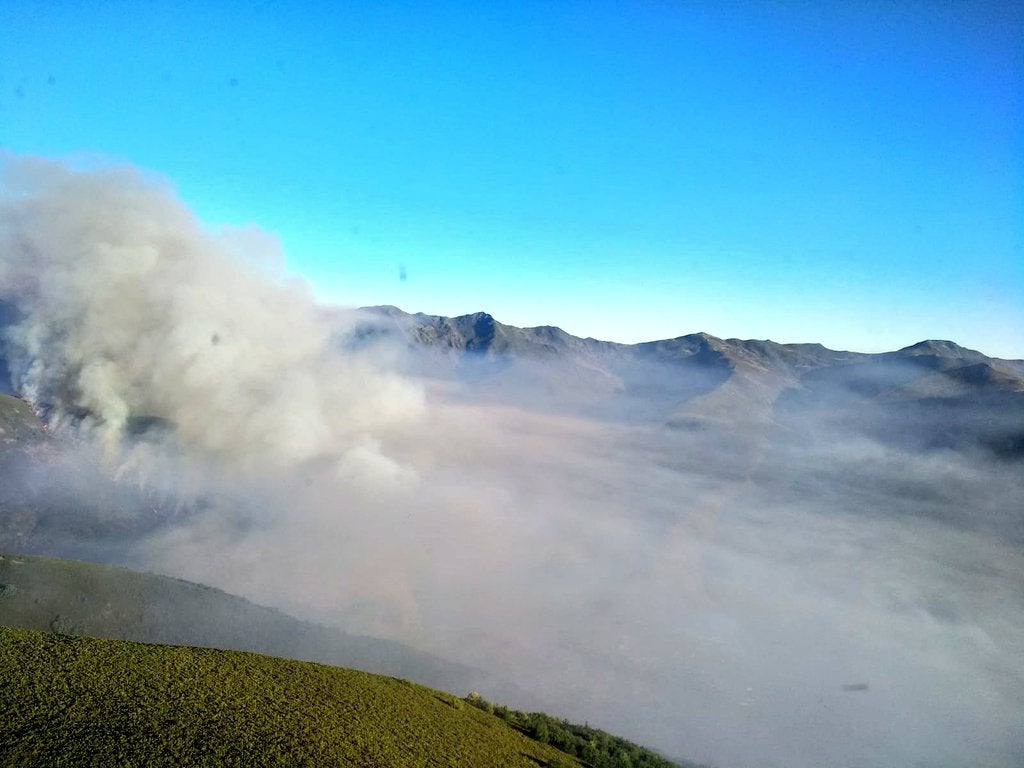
column 843, row 173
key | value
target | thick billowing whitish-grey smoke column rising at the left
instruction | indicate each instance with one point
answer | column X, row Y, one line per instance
column 126, row 307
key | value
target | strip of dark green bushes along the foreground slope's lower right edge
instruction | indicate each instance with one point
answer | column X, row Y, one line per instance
column 593, row 747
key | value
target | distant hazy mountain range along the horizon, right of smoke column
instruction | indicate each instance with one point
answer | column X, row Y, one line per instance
column 932, row 395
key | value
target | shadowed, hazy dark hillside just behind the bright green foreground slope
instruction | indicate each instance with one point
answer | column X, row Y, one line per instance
column 47, row 593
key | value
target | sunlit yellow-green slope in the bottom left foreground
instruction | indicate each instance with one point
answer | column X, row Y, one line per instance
column 76, row 701
